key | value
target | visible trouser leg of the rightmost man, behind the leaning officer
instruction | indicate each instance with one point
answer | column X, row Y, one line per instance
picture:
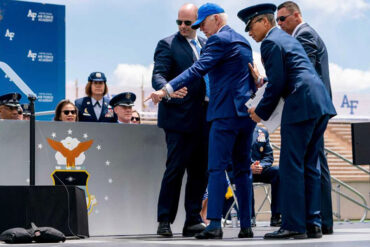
column 326, row 202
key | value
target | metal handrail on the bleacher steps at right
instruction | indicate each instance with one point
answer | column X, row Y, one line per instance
column 350, row 188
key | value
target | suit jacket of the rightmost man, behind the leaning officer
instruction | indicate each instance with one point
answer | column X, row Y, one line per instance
column 316, row 51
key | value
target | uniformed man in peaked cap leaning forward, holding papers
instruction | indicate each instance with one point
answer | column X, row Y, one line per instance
column 305, row 116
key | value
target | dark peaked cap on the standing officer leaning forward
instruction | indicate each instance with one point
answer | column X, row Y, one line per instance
column 247, row 14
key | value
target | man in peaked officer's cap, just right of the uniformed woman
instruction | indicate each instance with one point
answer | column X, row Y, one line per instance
column 122, row 106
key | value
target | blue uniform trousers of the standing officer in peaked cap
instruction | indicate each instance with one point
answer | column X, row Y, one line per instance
column 300, row 174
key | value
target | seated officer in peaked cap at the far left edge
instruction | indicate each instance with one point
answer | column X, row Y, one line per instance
column 9, row 104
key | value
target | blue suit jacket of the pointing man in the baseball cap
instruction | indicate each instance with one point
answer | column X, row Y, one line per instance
column 225, row 58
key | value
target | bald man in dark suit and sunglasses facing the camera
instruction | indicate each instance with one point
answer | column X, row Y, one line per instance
column 183, row 121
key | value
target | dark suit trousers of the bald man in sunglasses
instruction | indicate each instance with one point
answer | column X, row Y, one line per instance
column 185, row 152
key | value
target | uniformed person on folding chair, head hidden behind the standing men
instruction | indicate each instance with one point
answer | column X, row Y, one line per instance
column 263, row 171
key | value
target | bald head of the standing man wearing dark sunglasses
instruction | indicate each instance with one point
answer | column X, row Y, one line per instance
column 187, row 12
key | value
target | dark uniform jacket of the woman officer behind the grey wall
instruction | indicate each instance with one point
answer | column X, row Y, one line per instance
column 86, row 111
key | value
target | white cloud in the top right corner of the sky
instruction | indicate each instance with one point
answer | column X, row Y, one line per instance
column 353, row 8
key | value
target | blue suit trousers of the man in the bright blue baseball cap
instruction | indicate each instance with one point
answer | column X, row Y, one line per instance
column 229, row 142
